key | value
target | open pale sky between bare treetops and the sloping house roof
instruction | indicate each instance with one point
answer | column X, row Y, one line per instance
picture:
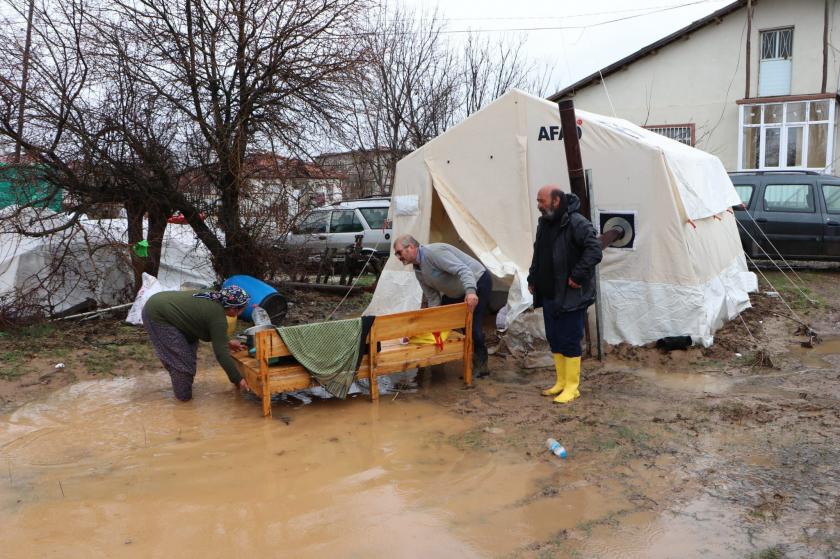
column 572, row 38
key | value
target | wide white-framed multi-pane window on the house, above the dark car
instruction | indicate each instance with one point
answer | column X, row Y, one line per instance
column 792, row 135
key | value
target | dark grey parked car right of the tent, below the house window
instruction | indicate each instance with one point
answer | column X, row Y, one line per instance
column 797, row 211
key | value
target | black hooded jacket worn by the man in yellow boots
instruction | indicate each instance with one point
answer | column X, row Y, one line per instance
column 576, row 251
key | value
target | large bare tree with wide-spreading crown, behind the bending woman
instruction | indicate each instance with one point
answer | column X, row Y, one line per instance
column 241, row 74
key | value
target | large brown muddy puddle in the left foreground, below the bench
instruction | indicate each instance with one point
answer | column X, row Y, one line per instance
column 118, row 468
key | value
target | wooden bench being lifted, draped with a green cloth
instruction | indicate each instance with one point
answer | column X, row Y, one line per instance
column 386, row 355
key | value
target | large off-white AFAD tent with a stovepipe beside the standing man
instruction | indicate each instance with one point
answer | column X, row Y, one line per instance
column 475, row 186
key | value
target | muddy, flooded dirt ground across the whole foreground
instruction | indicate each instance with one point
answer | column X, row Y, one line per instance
column 730, row 451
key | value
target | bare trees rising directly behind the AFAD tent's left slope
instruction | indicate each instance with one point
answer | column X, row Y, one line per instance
column 415, row 83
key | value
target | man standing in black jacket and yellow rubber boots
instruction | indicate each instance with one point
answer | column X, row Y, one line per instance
column 562, row 280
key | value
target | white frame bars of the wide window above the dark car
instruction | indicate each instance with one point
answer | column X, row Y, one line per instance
column 783, row 137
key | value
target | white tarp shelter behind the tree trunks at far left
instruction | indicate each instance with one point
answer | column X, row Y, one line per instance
column 89, row 261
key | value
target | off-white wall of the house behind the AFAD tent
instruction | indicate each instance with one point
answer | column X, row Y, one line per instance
column 697, row 79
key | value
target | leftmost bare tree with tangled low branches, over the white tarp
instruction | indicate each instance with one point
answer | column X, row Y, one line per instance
column 90, row 131
